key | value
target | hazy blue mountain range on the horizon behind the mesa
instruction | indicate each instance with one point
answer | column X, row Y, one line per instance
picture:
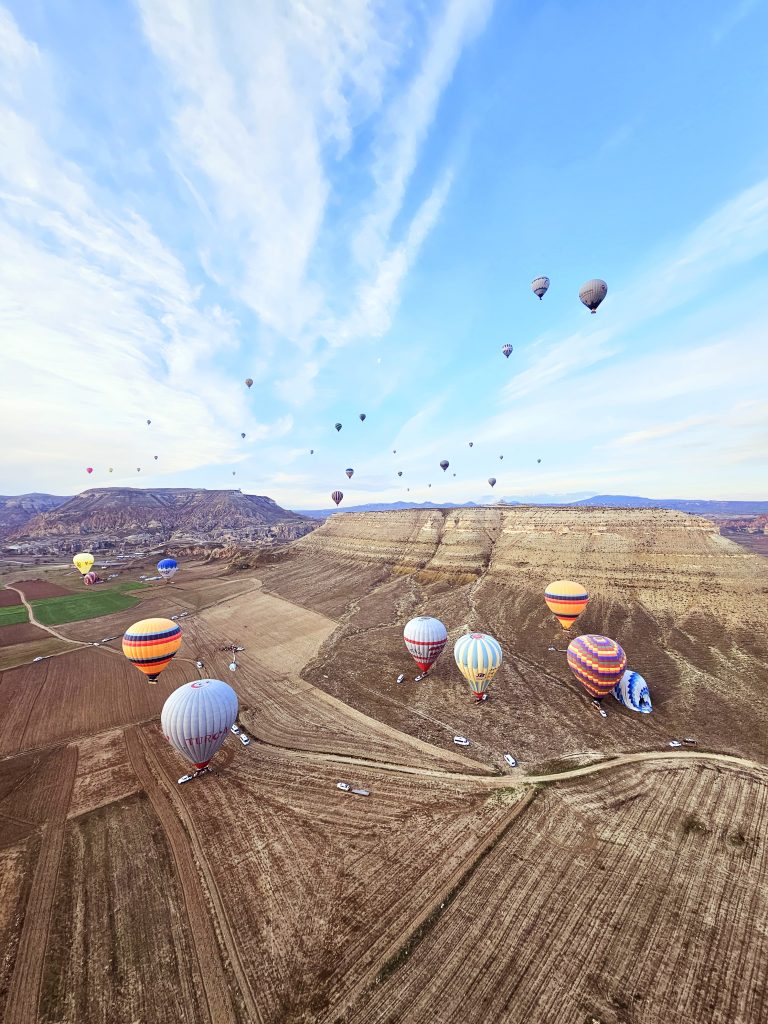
column 701, row 507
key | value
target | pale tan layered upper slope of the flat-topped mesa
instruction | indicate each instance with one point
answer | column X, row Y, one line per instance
column 643, row 550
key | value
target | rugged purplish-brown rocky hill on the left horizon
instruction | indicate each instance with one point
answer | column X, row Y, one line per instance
column 103, row 517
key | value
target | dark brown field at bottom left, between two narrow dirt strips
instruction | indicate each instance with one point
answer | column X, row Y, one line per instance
column 112, row 957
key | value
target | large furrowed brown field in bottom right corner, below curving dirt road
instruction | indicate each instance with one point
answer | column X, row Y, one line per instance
column 604, row 903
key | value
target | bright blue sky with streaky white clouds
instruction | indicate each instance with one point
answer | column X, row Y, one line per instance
column 348, row 203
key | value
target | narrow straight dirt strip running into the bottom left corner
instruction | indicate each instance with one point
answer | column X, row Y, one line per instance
column 26, row 983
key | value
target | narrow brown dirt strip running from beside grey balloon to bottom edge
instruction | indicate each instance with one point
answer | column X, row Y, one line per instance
column 210, row 970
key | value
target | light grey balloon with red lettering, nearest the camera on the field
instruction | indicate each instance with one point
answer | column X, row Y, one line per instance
column 197, row 719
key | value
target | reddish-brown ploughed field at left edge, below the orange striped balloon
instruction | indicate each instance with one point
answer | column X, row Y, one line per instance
column 79, row 695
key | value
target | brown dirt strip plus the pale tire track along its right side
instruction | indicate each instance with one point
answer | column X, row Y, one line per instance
column 186, row 842
